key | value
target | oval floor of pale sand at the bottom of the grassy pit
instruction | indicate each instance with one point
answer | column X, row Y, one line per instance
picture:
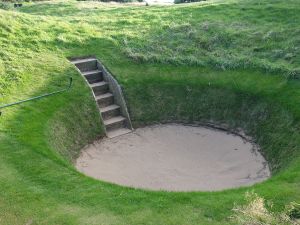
column 176, row 158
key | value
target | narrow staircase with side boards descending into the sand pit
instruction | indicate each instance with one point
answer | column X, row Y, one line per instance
column 104, row 89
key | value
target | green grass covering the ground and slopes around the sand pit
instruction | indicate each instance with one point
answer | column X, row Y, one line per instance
column 227, row 62
